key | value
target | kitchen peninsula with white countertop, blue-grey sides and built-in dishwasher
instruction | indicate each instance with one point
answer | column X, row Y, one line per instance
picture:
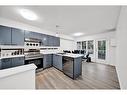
column 70, row 64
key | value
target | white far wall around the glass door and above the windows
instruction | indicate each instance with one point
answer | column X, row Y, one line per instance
column 111, row 51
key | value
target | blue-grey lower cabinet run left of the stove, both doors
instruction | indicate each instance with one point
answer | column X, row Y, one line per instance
column 11, row 62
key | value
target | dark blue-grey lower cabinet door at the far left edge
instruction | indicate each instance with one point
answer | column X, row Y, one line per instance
column 6, row 63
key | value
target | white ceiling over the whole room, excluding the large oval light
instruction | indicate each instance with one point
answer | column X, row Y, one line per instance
column 71, row 19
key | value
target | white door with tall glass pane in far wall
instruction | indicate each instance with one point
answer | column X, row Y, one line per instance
column 101, row 50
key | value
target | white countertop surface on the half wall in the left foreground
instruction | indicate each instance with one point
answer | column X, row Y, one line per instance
column 15, row 70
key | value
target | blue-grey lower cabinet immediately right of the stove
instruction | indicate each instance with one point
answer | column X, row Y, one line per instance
column 47, row 60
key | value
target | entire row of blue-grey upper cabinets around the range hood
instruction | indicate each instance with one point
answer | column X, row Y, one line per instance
column 14, row 36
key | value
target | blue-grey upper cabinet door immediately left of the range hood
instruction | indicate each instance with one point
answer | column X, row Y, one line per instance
column 17, row 36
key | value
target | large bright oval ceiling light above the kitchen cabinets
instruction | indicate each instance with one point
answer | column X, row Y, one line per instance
column 27, row 14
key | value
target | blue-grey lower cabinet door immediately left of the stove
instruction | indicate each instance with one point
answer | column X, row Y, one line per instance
column 18, row 61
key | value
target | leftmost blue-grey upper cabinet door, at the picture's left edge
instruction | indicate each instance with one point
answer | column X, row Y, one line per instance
column 5, row 35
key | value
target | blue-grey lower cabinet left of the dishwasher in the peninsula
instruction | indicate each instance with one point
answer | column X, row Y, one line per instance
column 57, row 62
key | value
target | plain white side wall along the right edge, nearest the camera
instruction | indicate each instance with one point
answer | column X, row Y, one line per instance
column 122, row 48
